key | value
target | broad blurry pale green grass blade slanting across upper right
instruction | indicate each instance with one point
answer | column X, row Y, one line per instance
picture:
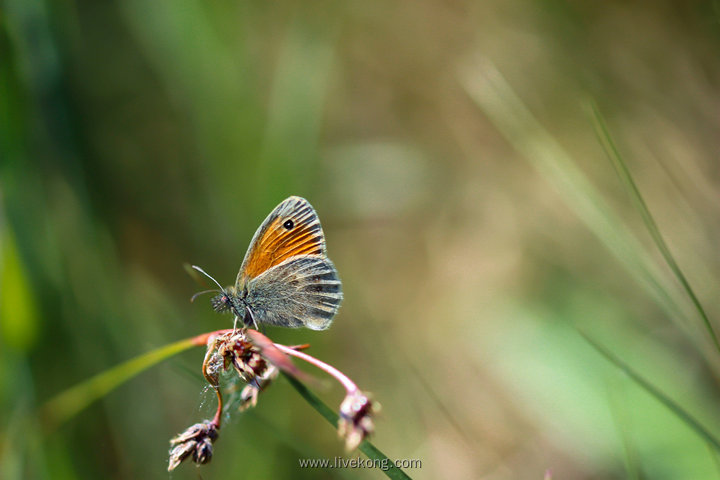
column 506, row 110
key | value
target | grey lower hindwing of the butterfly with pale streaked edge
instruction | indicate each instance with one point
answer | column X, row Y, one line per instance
column 301, row 291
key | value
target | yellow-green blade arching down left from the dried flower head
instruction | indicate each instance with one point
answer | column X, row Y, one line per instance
column 72, row 401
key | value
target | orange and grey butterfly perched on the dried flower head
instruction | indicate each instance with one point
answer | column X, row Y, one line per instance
column 285, row 278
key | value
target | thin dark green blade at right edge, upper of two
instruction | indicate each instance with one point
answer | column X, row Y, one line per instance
column 624, row 173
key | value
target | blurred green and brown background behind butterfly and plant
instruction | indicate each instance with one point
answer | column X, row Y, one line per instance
column 472, row 236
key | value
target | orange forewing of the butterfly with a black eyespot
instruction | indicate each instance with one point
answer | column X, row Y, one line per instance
column 292, row 229
